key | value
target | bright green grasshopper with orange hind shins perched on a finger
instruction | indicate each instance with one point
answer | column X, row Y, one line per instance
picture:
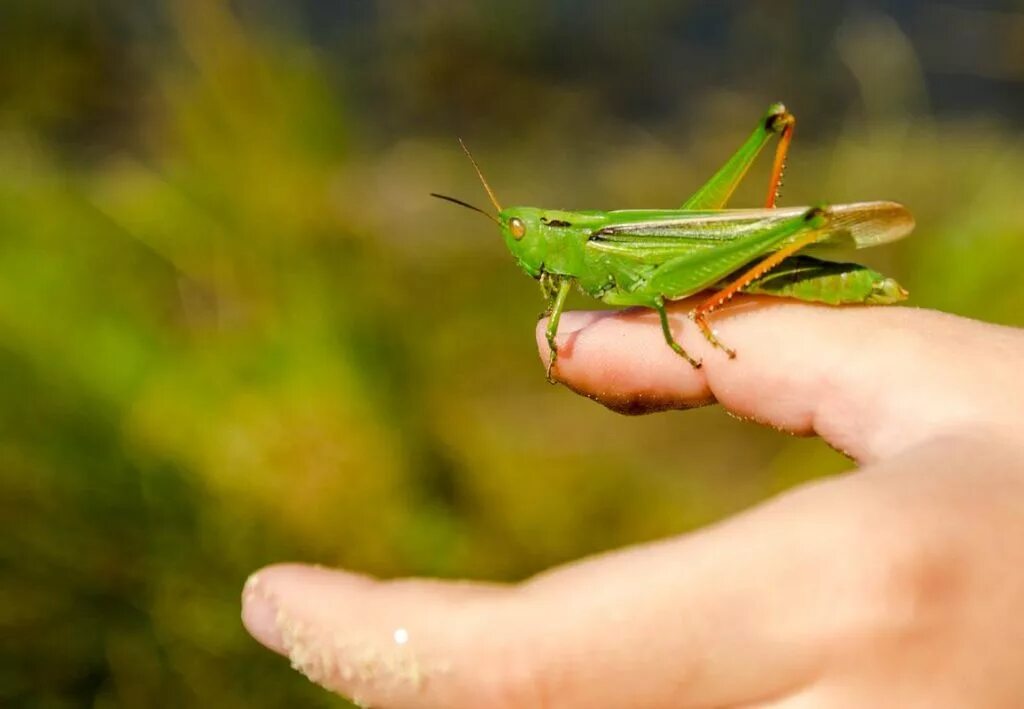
column 652, row 257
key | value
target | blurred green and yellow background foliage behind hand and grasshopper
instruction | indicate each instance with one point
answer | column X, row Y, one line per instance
column 235, row 330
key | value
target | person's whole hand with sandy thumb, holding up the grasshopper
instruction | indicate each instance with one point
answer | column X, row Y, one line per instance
column 898, row 586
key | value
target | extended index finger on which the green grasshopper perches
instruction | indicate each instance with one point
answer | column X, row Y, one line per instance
column 873, row 382
